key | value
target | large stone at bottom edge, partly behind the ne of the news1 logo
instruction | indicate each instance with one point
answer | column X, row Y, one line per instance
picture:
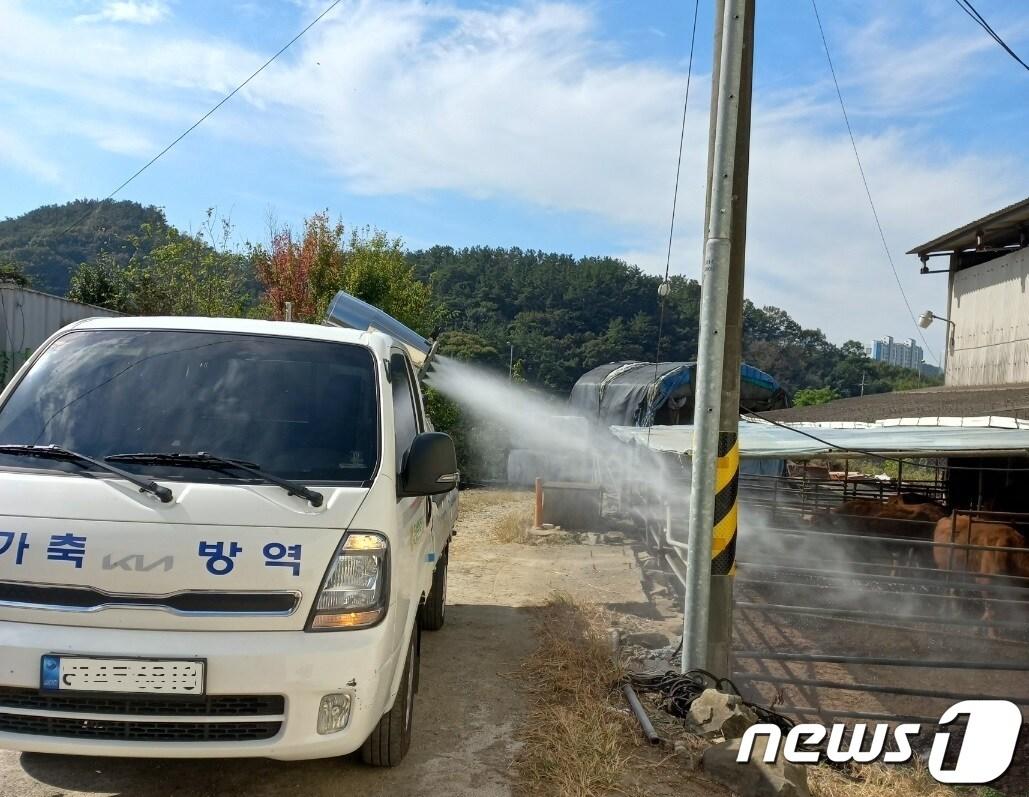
column 755, row 778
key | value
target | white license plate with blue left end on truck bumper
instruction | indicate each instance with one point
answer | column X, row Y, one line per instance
column 122, row 675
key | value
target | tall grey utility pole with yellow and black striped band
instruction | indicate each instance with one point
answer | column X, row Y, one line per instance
column 712, row 555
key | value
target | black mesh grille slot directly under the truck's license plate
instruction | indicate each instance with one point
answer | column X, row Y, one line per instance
column 187, row 706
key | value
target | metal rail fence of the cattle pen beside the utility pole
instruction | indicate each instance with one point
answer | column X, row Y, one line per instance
column 834, row 623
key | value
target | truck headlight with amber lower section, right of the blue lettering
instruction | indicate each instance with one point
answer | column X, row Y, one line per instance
column 356, row 591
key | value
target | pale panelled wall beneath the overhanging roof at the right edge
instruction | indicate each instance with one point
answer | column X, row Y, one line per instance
column 990, row 309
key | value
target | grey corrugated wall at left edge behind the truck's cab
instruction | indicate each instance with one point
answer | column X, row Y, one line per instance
column 28, row 318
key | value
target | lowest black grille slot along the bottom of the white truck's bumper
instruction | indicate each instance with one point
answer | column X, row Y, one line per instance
column 69, row 728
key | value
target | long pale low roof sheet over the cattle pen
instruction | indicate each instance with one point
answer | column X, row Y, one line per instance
column 908, row 438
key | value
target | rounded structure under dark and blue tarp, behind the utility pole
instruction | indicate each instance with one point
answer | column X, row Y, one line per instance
column 638, row 394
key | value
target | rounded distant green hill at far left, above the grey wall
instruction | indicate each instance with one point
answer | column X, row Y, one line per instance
column 43, row 244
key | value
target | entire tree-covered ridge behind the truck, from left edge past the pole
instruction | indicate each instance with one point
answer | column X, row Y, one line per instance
column 563, row 316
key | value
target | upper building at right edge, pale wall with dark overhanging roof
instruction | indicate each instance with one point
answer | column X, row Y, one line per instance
column 987, row 298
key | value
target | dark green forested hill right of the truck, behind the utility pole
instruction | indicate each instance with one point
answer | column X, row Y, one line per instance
column 565, row 316
